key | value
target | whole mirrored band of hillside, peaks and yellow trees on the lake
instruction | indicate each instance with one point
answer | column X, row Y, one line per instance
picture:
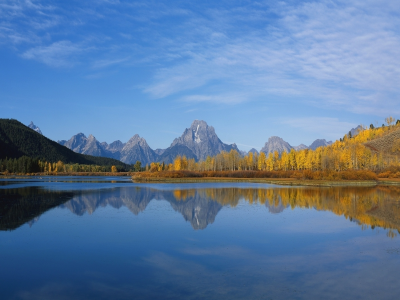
column 368, row 206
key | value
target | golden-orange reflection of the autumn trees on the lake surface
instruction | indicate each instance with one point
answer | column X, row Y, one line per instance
column 372, row 206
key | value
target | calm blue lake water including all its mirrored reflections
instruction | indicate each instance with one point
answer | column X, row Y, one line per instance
column 109, row 238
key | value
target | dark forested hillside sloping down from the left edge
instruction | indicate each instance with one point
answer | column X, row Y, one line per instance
column 17, row 140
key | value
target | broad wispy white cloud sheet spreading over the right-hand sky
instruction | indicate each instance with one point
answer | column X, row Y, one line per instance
column 336, row 54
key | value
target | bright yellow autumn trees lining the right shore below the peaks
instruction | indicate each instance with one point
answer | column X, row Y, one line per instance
column 347, row 154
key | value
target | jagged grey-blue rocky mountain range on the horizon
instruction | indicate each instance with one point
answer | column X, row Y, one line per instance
column 198, row 141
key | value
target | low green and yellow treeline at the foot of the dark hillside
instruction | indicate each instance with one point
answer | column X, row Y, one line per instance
column 27, row 165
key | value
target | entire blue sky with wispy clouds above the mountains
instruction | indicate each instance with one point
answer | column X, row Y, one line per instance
column 301, row 70
